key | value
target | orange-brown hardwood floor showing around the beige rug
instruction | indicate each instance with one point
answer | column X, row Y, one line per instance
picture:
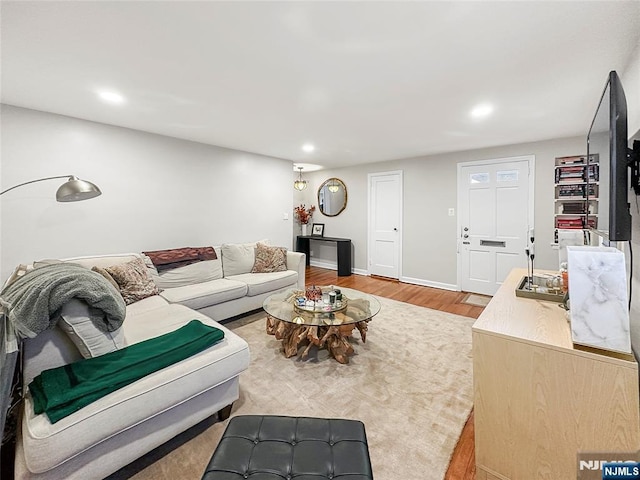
column 463, row 463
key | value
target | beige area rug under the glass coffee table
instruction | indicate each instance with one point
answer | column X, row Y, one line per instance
column 410, row 383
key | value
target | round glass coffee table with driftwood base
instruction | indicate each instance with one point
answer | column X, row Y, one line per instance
column 298, row 322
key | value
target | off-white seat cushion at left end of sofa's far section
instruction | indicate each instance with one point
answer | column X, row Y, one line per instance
column 204, row 294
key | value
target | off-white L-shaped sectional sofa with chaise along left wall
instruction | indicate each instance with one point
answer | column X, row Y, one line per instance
column 108, row 434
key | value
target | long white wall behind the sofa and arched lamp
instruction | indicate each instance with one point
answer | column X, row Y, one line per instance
column 158, row 192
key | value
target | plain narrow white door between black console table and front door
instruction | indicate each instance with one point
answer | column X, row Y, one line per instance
column 385, row 222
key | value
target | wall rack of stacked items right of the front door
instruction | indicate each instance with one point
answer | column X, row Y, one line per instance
column 576, row 192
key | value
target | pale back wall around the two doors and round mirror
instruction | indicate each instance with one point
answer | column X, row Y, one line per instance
column 430, row 237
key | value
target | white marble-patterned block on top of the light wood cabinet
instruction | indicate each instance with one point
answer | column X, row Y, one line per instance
column 598, row 298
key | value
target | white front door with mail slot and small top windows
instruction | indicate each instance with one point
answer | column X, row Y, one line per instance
column 495, row 207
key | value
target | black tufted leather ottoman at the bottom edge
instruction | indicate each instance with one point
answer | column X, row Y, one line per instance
column 290, row 448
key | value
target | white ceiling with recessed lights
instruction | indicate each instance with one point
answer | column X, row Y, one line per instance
column 363, row 81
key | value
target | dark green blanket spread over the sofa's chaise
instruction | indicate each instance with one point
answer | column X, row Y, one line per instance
column 61, row 391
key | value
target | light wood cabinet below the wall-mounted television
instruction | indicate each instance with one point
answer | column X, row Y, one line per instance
column 538, row 401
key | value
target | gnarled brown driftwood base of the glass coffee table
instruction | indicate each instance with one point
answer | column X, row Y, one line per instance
column 334, row 337
